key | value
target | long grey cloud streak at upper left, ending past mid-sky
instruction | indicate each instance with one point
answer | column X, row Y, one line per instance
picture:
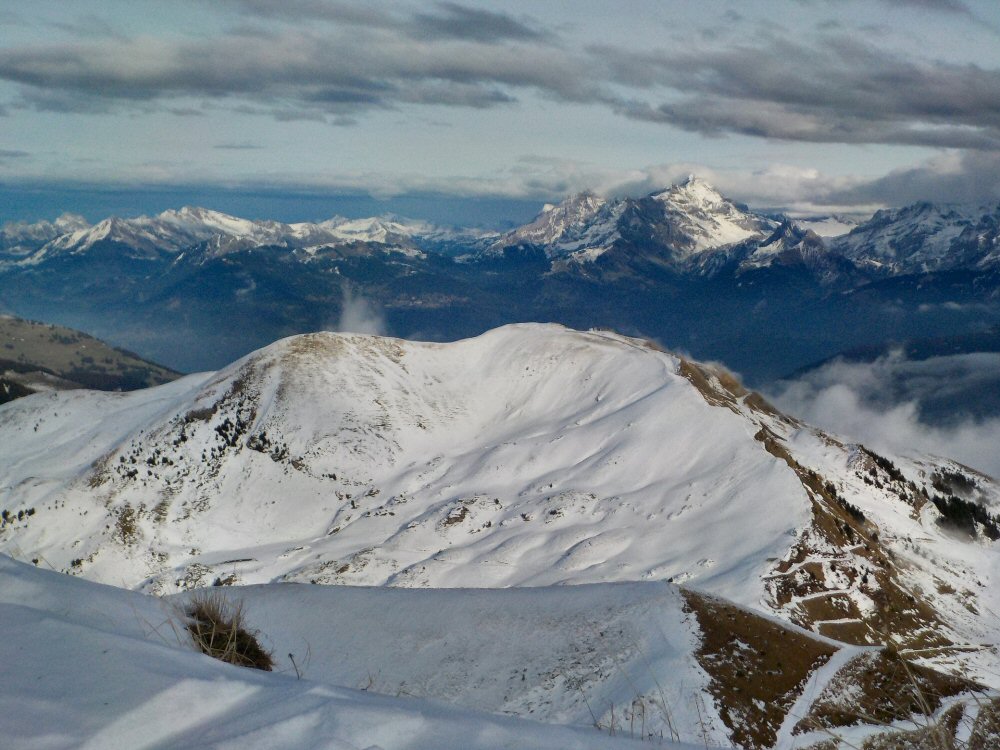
column 338, row 73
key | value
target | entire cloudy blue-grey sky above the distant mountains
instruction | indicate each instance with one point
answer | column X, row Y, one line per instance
column 476, row 112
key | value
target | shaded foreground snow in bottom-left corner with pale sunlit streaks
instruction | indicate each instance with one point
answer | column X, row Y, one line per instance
column 88, row 666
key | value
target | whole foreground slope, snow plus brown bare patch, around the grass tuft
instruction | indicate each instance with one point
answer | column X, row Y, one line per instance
column 92, row 666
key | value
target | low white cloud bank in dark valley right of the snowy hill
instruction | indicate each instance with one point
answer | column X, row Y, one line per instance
column 947, row 406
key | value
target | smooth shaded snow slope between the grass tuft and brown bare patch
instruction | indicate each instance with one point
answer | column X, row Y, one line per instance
column 563, row 655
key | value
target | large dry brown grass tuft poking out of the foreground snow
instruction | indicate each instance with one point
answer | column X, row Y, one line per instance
column 219, row 630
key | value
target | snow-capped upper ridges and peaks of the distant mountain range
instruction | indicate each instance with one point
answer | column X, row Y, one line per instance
column 688, row 227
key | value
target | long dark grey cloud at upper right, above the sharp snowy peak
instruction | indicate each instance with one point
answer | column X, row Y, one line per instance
column 835, row 89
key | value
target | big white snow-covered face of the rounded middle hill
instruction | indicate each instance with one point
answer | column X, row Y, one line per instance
column 530, row 455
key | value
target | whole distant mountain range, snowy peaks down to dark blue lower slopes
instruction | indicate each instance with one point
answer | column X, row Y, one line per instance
column 195, row 288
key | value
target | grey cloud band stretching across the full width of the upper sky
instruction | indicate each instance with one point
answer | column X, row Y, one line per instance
column 337, row 61
